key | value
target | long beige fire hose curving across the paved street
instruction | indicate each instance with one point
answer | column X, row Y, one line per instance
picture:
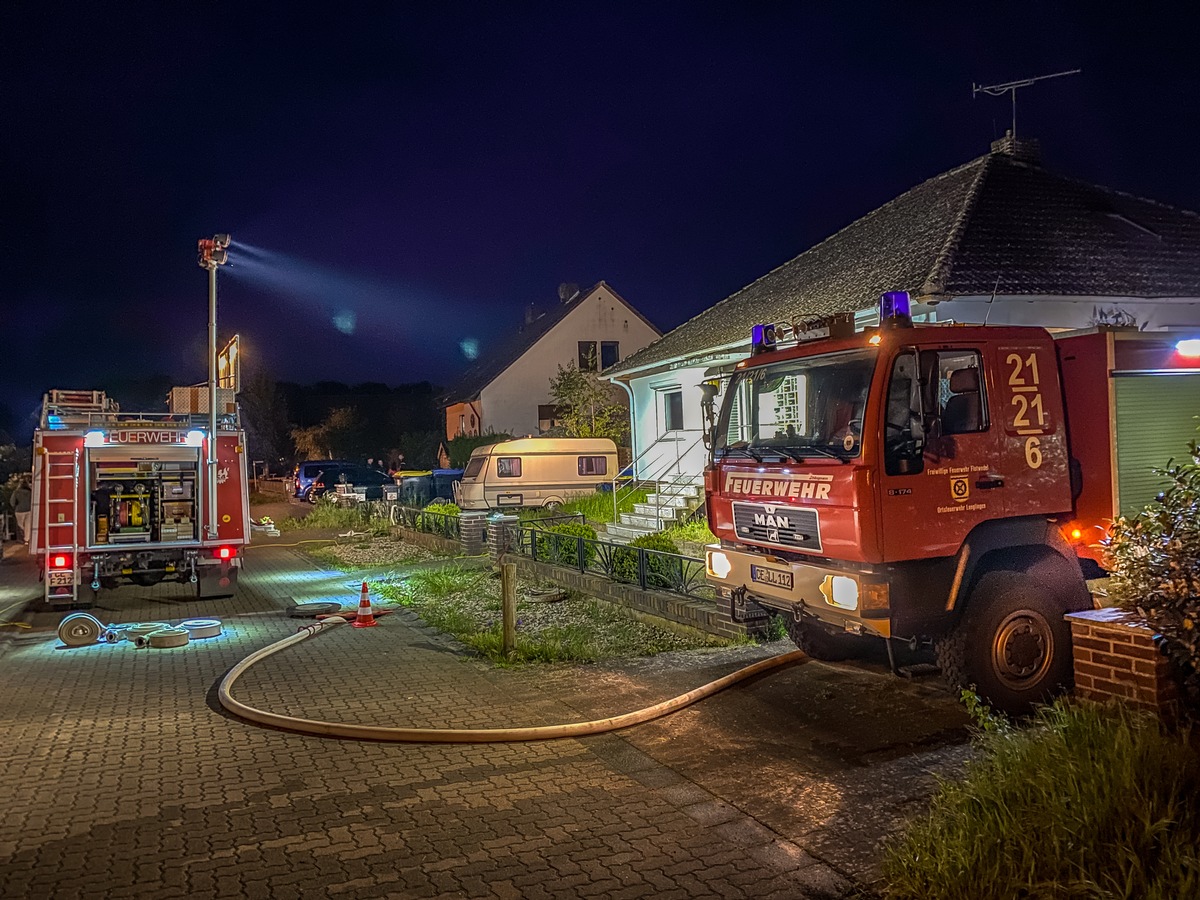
column 471, row 736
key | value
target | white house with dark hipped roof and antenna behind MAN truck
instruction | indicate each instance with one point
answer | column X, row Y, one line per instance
column 999, row 241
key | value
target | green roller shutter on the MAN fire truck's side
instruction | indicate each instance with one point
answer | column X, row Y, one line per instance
column 1156, row 419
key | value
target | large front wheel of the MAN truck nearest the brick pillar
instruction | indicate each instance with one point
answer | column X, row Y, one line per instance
column 1012, row 645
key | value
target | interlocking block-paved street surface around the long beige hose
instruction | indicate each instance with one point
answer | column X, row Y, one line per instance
column 125, row 778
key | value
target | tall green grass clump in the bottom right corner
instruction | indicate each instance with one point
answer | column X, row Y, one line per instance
column 1087, row 802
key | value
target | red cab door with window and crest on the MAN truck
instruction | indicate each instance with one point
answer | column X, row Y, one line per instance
column 944, row 471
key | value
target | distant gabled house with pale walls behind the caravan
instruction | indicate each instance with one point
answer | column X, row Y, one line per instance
column 508, row 388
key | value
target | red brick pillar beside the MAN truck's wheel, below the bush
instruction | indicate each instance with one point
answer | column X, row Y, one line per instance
column 1118, row 656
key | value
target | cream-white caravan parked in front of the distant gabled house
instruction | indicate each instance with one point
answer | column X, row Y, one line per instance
column 536, row 472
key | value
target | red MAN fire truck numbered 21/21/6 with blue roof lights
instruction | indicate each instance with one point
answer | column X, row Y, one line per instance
column 940, row 485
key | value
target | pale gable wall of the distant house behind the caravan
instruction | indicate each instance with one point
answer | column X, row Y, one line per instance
column 512, row 400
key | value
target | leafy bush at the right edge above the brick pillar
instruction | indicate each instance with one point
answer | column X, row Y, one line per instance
column 1155, row 559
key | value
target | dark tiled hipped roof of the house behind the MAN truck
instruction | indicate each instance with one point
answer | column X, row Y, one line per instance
column 1001, row 224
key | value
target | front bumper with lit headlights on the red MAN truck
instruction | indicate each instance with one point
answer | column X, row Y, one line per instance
column 845, row 598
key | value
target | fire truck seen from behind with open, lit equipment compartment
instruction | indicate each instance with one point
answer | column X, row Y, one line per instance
column 133, row 499
